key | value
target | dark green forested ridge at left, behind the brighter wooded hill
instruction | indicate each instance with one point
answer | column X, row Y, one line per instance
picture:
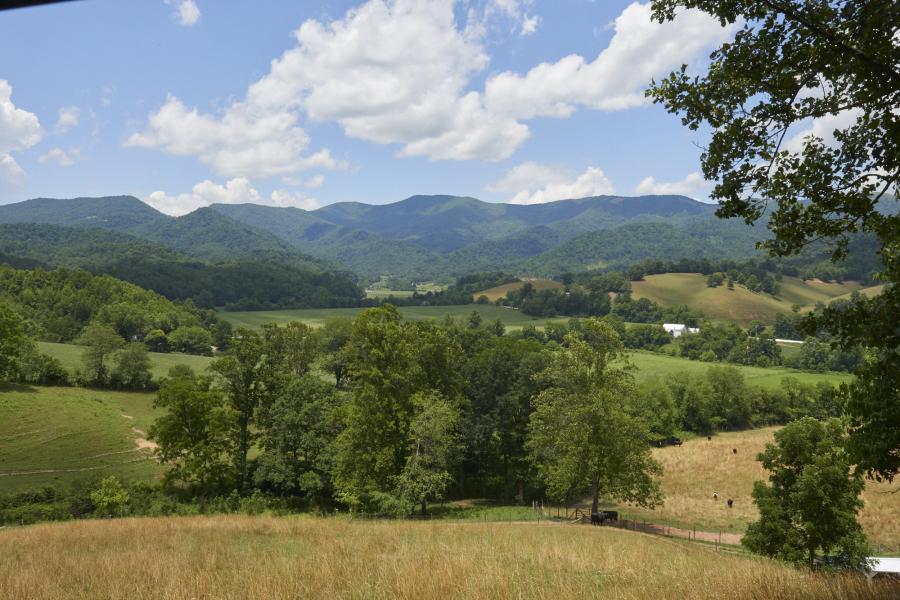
column 267, row 281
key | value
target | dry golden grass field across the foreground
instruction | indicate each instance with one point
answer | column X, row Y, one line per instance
column 275, row 558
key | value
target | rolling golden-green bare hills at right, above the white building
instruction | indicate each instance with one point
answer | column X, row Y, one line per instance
column 738, row 305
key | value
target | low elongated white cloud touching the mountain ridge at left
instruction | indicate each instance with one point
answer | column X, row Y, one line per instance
column 235, row 191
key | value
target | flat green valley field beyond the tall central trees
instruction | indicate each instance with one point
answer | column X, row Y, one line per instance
column 314, row 317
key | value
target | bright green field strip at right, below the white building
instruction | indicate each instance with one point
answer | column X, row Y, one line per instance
column 650, row 364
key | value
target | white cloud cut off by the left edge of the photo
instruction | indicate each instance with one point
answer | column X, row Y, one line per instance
column 19, row 130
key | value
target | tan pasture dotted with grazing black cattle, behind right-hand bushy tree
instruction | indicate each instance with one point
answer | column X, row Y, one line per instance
column 692, row 472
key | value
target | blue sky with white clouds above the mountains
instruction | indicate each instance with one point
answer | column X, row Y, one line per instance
column 183, row 103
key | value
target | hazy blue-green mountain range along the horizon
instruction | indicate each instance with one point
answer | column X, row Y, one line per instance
column 420, row 238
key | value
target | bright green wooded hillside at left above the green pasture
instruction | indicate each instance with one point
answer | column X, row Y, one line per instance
column 57, row 305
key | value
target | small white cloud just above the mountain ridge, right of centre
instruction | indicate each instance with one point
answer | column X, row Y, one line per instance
column 534, row 183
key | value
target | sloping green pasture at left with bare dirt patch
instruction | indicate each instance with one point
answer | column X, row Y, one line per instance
column 52, row 436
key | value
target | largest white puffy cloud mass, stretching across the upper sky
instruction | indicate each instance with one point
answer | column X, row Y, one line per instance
column 400, row 72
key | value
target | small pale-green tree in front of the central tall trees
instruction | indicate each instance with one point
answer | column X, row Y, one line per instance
column 434, row 446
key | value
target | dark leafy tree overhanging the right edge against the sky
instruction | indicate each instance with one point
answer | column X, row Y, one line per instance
column 834, row 63
